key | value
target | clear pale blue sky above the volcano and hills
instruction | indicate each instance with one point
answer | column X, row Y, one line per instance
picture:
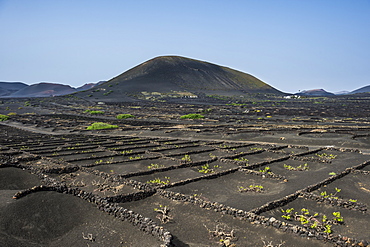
column 291, row 45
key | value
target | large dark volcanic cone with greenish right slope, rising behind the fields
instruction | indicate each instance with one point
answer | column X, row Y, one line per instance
column 175, row 74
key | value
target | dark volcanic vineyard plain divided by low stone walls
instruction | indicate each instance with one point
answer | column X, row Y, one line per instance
column 267, row 173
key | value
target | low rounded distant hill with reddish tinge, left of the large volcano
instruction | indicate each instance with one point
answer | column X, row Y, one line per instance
column 44, row 89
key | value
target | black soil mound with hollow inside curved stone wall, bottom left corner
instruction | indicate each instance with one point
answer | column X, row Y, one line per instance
column 54, row 219
